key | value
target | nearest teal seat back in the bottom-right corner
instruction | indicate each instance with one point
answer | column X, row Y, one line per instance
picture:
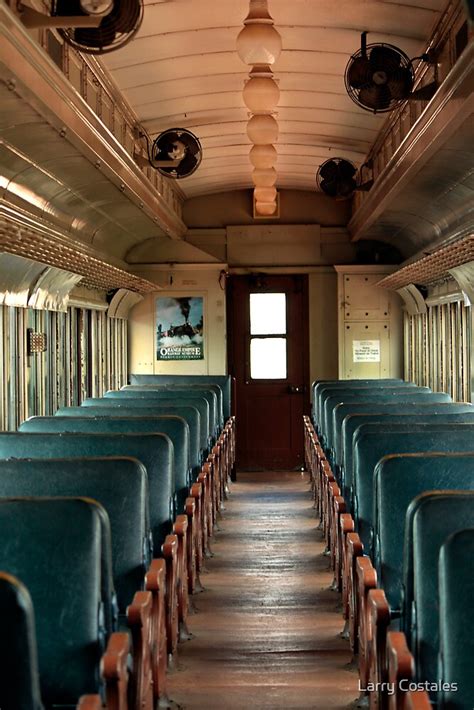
column 456, row 585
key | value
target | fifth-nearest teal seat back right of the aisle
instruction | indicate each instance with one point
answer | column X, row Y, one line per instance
column 426, row 413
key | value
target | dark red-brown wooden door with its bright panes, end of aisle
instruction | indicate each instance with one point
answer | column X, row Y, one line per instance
column 268, row 356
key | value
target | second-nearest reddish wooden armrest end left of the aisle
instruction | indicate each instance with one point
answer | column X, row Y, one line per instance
column 114, row 669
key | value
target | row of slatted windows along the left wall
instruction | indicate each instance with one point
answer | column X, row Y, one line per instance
column 86, row 354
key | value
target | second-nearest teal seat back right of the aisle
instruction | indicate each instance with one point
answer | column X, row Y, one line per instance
column 430, row 519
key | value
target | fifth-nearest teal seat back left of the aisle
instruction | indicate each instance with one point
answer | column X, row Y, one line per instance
column 174, row 427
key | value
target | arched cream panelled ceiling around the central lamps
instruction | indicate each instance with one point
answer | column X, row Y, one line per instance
column 182, row 70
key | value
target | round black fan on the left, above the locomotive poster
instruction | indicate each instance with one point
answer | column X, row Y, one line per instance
column 177, row 142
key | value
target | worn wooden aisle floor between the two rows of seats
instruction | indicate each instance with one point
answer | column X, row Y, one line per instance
column 266, row 631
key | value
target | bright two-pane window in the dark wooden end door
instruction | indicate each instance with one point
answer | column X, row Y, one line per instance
column 268, row 336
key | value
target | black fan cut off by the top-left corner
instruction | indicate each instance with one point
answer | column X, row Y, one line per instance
column 114, row 31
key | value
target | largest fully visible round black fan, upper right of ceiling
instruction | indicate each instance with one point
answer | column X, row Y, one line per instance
column 379, row 78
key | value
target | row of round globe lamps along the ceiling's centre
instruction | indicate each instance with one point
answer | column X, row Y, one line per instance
column 259, row 45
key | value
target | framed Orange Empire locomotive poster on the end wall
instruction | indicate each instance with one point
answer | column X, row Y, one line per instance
column 179, row 328
